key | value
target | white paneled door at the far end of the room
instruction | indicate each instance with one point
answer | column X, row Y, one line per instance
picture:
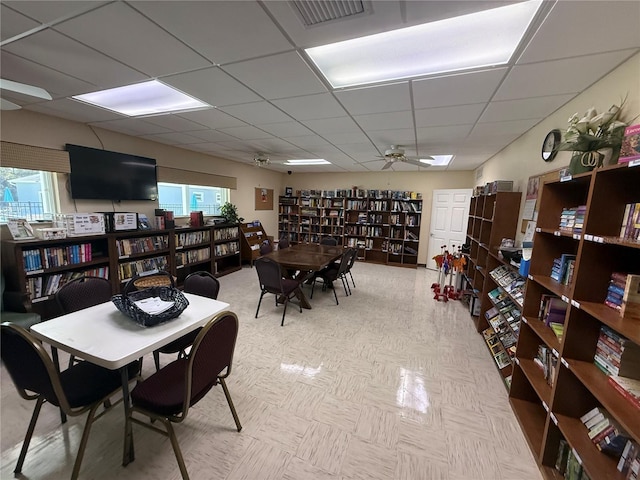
column 449, row 216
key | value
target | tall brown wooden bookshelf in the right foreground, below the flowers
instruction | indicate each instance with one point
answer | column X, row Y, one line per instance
column 545, row 414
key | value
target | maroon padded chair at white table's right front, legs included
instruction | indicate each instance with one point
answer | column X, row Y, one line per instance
column 167, row 395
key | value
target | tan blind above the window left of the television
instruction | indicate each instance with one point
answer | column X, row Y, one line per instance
column 29, row 157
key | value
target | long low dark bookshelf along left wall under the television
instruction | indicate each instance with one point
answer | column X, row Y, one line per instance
column 115, row 256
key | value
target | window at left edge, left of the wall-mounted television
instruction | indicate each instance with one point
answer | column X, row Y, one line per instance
column 28, row 194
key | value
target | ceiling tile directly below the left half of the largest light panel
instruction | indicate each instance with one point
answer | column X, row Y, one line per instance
column 379, row 99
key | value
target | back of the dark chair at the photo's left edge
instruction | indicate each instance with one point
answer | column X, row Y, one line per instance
column 29, row 365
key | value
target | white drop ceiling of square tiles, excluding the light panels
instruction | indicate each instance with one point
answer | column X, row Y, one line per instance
column 247, row 60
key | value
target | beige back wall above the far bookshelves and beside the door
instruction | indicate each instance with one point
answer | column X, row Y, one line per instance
column 423, row 182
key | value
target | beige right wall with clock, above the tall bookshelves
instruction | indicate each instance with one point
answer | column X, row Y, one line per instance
column 522, row 159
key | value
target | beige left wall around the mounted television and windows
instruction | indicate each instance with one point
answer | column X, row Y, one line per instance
column 22, row 126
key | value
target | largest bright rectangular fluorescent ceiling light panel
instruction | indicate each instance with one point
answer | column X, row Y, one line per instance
column 481, row 39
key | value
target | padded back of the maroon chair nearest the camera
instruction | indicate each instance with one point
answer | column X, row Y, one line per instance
column 211, row 355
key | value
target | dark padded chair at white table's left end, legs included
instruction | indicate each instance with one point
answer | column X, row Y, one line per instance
column 81, row 388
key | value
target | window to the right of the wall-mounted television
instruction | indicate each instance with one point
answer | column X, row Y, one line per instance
column 182, row 199
